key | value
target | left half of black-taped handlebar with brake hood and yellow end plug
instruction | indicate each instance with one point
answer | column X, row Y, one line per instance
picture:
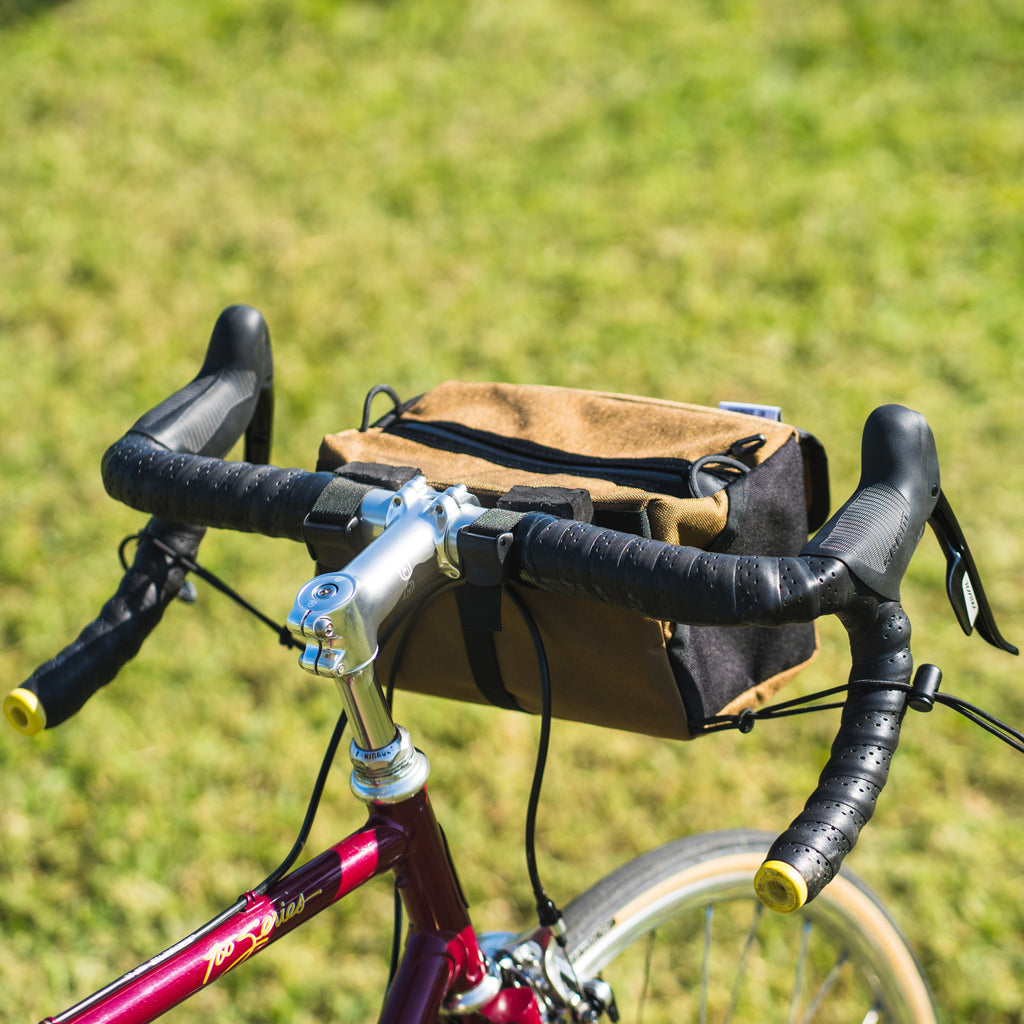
column 169, row 465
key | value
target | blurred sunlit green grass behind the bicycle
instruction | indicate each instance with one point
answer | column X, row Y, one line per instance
column 818, row 206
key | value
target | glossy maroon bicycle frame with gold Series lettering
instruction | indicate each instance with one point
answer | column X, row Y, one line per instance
column 442, row 955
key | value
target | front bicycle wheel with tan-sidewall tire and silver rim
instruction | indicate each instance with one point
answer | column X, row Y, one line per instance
column 810, row 966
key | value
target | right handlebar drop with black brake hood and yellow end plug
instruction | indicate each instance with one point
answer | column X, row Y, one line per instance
column 874, row 535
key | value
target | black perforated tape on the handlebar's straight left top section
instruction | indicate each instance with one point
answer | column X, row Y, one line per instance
column 208, row 492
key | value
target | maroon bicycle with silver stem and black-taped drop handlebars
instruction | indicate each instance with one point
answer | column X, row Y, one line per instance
column 844, row 954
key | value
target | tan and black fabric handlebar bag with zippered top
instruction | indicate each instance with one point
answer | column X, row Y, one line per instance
column 709, row 479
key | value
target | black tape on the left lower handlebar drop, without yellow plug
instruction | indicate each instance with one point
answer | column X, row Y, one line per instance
column 95, row 658
